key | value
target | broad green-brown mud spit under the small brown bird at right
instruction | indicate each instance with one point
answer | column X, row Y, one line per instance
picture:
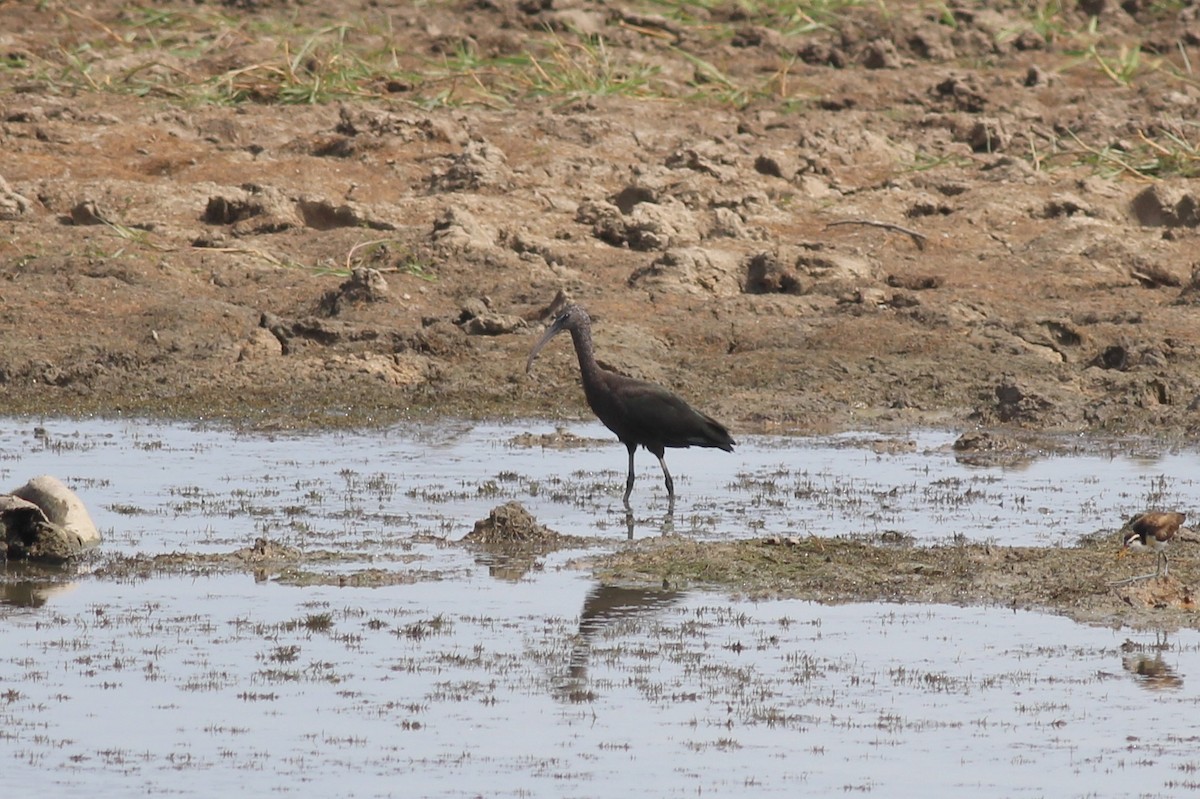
column 1083, row 584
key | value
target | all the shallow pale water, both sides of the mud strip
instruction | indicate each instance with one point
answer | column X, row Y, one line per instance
column 457, row 683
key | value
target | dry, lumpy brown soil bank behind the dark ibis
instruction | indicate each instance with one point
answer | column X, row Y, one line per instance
column 389, row 254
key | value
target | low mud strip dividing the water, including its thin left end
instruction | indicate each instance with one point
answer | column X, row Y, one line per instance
column 1085, row 584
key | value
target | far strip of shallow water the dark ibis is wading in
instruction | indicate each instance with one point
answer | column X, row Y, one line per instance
column 163, row 488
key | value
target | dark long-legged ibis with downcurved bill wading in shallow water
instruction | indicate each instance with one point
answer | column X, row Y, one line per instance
column 640, row 413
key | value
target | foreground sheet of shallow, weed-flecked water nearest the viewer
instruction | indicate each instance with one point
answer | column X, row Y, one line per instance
column 484, row 689
